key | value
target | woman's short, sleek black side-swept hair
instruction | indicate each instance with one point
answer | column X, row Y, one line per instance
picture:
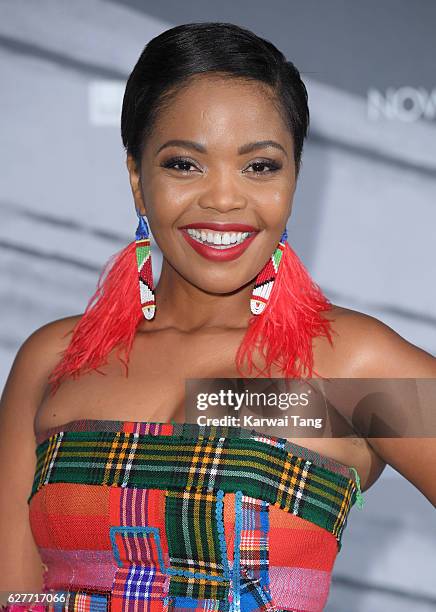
column 170, row 60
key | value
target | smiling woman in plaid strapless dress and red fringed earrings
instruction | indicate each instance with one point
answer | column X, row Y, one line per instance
column 126, row 504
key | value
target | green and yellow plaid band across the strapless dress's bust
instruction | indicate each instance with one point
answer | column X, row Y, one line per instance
column 207, row 463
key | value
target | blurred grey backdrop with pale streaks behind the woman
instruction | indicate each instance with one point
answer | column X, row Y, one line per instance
column 364, row 214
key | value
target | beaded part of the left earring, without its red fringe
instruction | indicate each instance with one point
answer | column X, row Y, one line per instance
column 143, row 258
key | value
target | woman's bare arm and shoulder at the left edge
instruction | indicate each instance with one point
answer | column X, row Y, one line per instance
column 21, row 566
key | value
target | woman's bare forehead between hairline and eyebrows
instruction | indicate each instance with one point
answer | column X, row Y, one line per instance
column 219, row 109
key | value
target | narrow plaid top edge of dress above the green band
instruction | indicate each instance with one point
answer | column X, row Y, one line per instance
column 156, row 428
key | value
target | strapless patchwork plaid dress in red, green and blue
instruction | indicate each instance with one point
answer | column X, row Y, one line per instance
column 172, row 517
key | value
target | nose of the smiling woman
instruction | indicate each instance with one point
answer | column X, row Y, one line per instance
column 222, row 194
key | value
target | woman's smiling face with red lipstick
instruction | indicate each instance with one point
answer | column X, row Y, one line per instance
column 216, row 181
